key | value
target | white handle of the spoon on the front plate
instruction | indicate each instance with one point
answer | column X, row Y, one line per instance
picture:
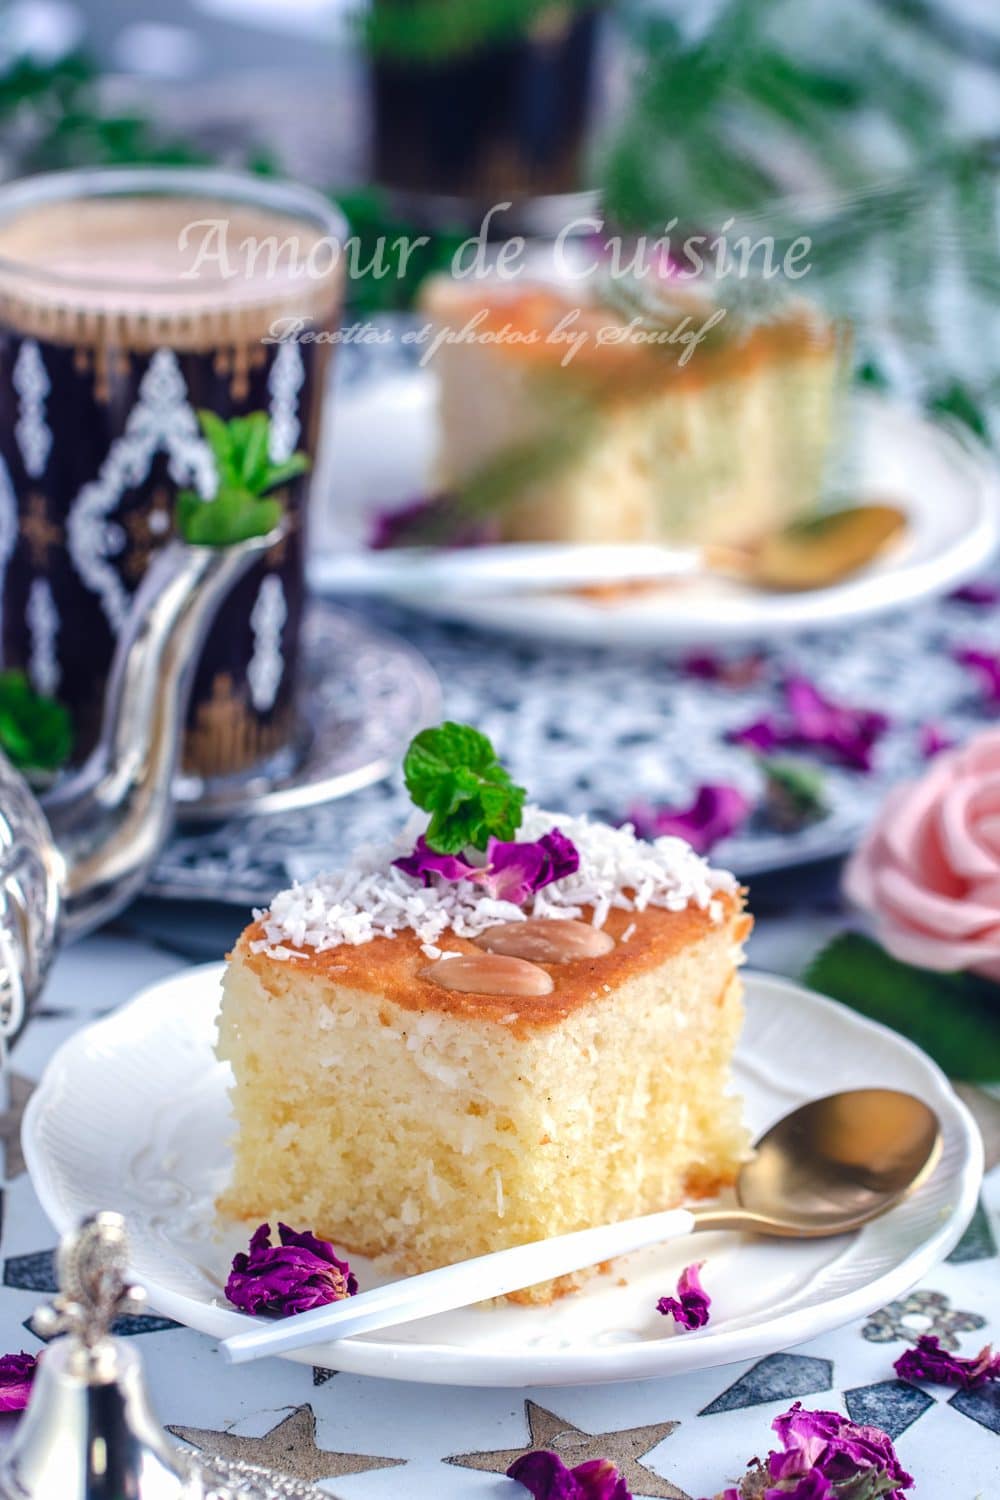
column 457, row 1286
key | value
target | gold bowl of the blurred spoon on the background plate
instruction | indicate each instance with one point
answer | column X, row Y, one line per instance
column 816, row 553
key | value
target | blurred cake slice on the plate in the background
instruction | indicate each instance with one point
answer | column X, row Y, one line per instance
column 618, row 439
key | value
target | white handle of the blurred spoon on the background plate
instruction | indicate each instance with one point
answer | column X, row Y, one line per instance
column 509, row 569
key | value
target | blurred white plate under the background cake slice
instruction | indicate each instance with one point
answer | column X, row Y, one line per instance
column 382, row 455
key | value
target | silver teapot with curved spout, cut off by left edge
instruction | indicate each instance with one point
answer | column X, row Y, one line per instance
column 71, row 865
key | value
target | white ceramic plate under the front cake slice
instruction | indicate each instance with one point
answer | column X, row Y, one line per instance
column 133, row 1115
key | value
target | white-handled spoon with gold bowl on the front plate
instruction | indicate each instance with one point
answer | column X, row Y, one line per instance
column 825, row 1169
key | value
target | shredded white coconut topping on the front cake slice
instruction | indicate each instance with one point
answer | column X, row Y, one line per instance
column 373, row 899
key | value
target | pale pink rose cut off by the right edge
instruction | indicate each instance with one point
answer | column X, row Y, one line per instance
column 929, row 871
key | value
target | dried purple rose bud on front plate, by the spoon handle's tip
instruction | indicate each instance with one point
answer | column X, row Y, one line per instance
column 292, row 1277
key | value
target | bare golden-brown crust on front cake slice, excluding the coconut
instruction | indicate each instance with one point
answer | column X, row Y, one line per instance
column 394, row 968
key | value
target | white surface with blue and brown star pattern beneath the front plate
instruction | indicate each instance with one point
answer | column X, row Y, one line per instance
column 385, row 1441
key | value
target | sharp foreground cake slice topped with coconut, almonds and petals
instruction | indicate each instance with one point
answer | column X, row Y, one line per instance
column 519, row 1048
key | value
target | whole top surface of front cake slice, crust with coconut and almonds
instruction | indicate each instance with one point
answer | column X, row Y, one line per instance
column 382, row 926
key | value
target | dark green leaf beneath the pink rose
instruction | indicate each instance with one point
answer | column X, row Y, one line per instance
column 954, row 1018
